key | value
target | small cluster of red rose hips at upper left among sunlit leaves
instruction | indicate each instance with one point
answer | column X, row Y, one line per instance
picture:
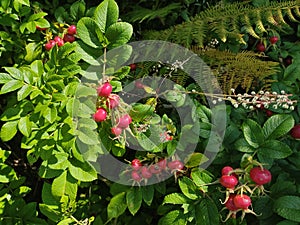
column 69, row 36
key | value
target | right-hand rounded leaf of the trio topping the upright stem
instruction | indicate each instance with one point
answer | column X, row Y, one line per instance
column 118, row 34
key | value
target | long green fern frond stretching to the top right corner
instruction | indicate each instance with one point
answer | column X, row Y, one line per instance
column 227, row 20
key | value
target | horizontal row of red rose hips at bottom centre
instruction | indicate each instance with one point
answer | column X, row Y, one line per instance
column 142, row 172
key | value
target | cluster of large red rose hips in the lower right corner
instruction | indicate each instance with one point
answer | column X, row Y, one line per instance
column 237, row 182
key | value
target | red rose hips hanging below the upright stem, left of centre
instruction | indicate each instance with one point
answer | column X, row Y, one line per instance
column 108, row 100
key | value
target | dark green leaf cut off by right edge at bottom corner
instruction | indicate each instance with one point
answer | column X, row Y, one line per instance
column 288, row 207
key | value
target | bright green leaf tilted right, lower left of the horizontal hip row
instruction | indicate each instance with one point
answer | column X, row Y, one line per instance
column 117, row 206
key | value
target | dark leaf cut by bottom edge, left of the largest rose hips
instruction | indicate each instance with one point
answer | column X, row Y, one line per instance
column 206, row 213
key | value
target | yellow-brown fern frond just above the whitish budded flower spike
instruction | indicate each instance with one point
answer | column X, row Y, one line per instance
column 244, row 70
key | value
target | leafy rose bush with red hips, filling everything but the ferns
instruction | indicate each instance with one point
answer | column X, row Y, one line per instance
column 68, row 107
